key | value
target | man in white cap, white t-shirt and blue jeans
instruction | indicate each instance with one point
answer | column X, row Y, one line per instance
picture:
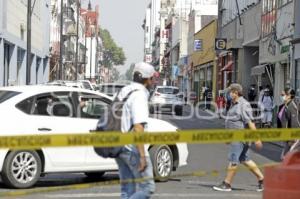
column 134, row 161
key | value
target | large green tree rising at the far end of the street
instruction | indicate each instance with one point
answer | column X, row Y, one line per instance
column 112, row 54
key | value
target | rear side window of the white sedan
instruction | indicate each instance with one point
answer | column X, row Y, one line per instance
column 54, row 104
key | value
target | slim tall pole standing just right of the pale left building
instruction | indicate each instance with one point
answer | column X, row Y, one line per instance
column 60, row 73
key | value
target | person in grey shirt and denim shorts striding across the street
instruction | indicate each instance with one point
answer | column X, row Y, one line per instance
column 238, row 116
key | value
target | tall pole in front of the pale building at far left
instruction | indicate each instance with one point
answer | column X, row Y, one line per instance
column 28, row 60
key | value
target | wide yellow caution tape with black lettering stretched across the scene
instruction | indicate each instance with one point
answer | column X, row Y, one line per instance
column 199, row 136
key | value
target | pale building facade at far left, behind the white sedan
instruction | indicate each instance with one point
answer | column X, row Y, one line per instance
column 13, row 42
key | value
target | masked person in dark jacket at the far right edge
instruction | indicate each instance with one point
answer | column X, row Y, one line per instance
column 288, row 117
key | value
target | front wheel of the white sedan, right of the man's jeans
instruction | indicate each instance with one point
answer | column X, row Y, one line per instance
column 162, row 160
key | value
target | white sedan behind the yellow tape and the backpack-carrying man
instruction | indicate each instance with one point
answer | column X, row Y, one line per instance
column 54, row 109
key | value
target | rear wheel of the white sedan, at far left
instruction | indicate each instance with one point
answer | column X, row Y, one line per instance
column 21, row 169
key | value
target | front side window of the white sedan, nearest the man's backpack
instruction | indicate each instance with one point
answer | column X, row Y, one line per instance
column 91, row 107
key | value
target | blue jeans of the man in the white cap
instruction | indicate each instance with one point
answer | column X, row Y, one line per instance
column 128, row 162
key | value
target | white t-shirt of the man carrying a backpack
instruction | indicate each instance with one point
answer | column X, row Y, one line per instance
column 135, row 109
